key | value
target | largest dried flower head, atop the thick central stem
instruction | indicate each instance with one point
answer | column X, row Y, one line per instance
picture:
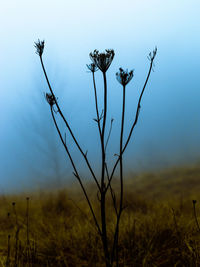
column 102, row 60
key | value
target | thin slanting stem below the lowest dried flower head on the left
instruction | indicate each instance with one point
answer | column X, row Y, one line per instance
column 76, row 173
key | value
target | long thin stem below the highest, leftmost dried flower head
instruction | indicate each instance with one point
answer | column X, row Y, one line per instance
column 66, row 123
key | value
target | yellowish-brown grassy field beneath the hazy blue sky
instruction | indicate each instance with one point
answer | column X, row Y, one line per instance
column 158, row 226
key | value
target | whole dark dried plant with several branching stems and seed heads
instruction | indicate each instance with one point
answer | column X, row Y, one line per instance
column 102, row 62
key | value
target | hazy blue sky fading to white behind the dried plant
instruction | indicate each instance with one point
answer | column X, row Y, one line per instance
column 168, row 130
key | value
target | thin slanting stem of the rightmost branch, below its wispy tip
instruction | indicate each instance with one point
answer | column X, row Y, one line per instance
column 134, row 123
